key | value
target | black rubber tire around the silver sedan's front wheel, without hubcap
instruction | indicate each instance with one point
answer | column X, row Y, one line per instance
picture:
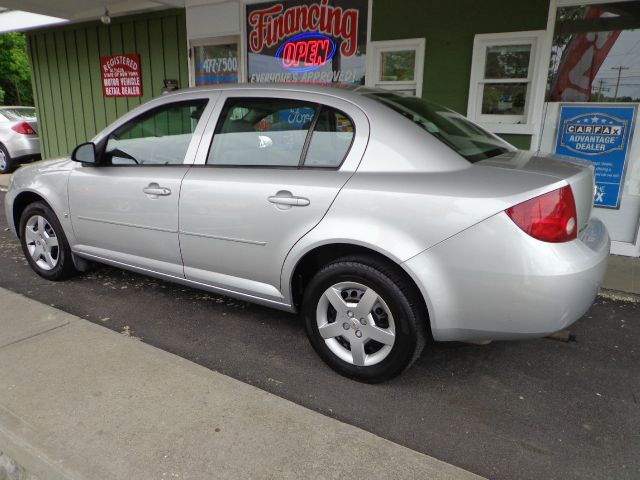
column 64, row 267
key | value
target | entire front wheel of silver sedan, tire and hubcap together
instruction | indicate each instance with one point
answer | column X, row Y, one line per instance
column 44, row 244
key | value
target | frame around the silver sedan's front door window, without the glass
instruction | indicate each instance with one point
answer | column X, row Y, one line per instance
column 101, row 145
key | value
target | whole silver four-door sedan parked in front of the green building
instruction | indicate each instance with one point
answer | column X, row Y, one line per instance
column 386, row 221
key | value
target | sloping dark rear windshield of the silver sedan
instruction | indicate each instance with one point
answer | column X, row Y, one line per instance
column 466, row 138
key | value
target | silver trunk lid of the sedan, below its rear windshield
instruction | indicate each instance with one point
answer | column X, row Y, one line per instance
column 579, row 174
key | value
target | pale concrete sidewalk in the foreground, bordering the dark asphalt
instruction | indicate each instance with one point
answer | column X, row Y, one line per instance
column 78, row 401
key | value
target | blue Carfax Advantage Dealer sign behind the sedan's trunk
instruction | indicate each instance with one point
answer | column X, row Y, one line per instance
column 601, row 134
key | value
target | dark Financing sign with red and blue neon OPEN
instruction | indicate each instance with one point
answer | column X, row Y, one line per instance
column 321, row 41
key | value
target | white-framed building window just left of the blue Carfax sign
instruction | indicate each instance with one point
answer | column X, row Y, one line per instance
column 504, row 82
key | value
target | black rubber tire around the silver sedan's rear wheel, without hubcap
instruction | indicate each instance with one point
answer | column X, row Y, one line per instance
column 400, row 297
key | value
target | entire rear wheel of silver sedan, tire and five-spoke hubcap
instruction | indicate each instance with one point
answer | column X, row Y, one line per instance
column 364, row 319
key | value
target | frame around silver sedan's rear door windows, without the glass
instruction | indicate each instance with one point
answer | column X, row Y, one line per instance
column 303, row 154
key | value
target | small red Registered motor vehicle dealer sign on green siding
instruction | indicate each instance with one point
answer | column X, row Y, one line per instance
column 121, row 75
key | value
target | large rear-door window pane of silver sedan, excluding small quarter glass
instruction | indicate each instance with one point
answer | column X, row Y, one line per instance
column 262, row 132
